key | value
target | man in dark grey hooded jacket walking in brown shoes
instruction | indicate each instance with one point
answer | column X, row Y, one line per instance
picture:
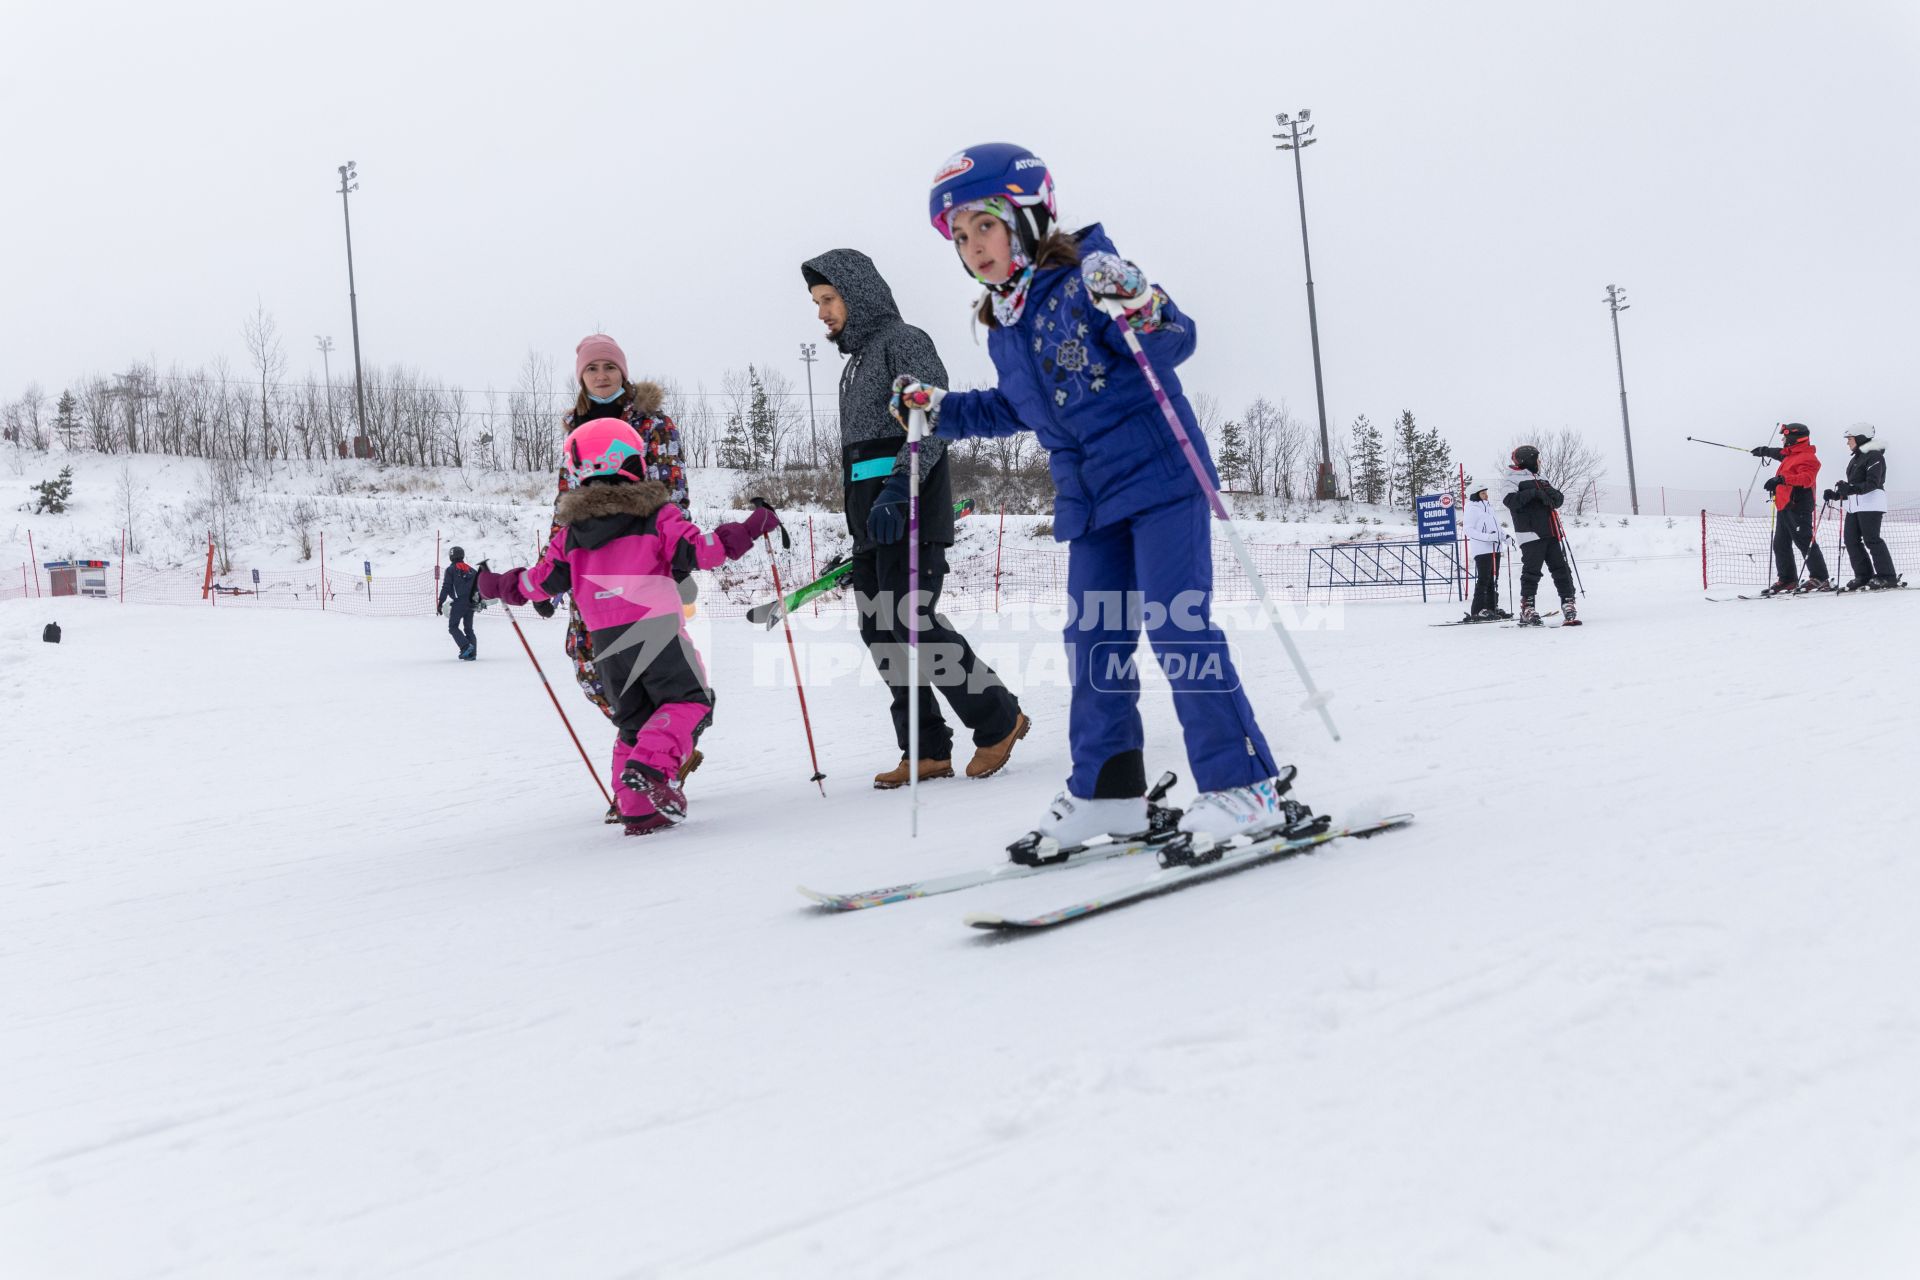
column 865, row 323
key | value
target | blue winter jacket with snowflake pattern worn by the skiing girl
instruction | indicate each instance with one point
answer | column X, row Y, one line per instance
column 1067, row 377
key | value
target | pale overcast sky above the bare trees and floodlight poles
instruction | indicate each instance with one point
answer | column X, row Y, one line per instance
column 535, row 172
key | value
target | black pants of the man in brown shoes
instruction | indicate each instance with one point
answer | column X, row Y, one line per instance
column 948, row 663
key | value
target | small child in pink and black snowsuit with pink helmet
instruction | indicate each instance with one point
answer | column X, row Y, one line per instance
column 615, row 546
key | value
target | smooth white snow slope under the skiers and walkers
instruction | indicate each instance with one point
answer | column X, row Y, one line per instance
column 318, row 960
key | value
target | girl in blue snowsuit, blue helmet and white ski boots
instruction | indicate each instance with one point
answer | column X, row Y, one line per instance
column 1130, row 510
